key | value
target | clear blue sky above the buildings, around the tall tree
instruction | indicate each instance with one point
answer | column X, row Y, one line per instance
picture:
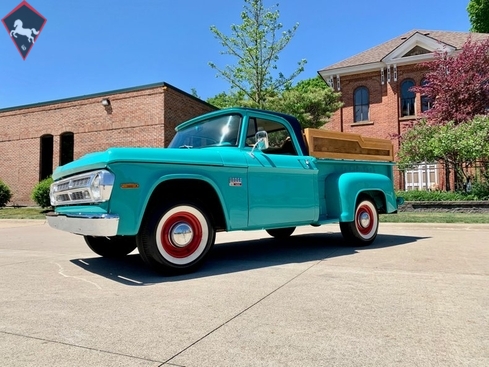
column 94, row 46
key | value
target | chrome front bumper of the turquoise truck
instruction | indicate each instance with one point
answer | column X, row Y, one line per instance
column 87, row 224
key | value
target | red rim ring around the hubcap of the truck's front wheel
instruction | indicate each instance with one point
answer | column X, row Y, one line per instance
column 173, row 249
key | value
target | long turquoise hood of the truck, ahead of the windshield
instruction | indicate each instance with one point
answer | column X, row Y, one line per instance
column 99, row 160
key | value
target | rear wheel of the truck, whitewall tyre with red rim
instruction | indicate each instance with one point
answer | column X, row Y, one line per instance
column 363, row 230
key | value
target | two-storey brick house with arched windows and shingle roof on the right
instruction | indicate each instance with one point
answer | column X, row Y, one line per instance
column 375, row 84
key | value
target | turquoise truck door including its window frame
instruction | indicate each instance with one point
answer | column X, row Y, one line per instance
column 282, row 183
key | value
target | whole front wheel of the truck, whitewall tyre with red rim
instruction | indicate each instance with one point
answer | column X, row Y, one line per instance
column 176, row 239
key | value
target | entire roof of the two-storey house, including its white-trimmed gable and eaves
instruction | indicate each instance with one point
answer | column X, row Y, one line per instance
column 397, row 51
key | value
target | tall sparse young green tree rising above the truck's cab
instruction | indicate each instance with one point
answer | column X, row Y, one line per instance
column 256, row 44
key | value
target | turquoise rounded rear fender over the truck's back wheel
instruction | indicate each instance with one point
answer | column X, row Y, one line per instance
column 343, row 189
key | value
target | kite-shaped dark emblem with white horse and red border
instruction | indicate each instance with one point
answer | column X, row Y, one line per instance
column 24, row 24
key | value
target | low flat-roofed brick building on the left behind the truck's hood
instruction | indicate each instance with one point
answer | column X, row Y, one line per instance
column 36, row 138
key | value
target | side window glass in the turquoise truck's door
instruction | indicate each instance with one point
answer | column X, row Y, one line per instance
column 278, row 136
